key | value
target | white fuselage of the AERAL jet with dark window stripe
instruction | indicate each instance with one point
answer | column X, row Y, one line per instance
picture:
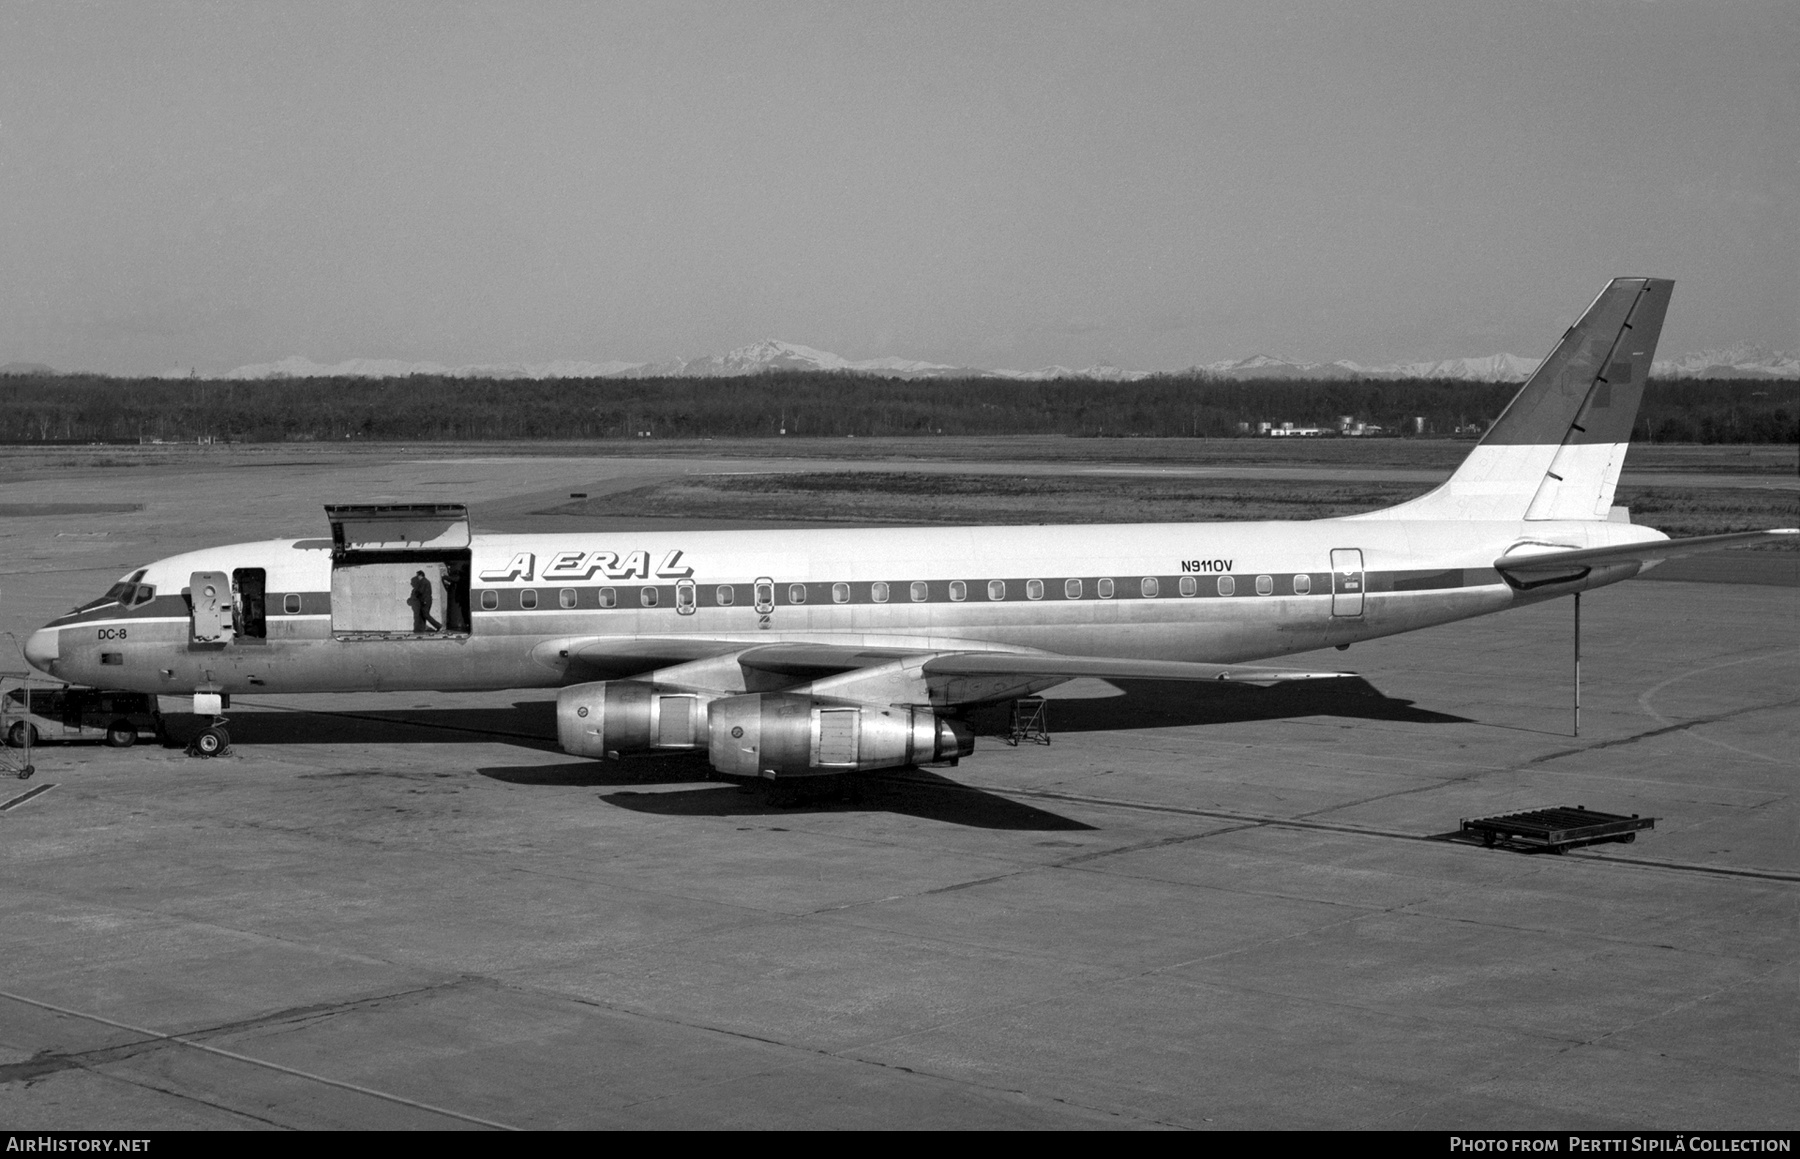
column 1149, row 591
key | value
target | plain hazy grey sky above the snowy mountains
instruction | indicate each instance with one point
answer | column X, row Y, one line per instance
column 991, row 184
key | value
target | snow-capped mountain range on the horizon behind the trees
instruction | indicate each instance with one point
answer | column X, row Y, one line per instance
column 775, row 355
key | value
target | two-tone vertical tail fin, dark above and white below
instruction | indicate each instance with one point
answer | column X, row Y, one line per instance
column 1556, row 451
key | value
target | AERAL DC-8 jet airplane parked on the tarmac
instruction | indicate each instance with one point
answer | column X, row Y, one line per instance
column 813, row 654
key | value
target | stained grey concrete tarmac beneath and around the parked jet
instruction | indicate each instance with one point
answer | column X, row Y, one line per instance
column 1198, row 908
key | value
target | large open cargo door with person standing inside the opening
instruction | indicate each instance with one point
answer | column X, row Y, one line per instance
column 379, row 553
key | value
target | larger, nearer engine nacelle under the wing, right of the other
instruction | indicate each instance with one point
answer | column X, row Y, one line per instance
column 780, row 735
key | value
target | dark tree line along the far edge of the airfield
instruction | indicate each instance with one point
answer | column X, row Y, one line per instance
column 102, row 409
